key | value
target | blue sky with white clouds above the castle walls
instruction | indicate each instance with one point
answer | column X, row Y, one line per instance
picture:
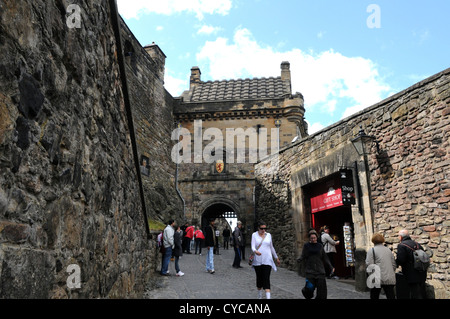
column 345, row 55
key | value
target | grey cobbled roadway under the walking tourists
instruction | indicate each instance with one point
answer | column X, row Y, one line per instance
column 231, row 283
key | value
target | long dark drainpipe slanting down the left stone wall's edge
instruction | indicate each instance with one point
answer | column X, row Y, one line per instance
column 120, row 59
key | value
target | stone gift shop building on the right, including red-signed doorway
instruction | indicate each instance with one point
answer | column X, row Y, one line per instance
column 398, row 180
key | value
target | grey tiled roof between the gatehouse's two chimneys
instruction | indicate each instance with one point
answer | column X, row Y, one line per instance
column 241, row 89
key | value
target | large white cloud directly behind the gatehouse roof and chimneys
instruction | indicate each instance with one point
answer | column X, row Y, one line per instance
column 324, row 78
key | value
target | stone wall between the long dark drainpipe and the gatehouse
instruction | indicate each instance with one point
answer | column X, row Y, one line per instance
column 152, row 108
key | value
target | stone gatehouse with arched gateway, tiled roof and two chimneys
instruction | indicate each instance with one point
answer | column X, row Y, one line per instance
column 230, row 125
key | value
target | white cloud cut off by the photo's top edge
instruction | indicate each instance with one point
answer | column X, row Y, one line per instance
column 135, row 8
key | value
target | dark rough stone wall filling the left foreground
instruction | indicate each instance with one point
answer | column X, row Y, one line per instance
column 68, row 184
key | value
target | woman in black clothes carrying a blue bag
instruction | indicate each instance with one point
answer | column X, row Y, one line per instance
column 314, row 260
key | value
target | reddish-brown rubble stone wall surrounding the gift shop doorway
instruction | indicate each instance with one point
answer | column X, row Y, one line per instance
column 409, row 182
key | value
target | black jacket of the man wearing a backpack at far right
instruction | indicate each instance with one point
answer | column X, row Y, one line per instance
column 405, row 259
